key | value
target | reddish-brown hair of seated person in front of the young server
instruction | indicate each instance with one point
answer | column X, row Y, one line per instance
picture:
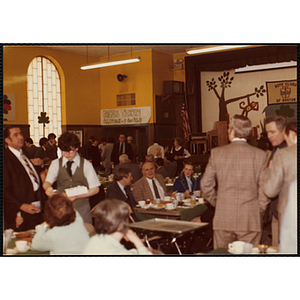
column 59, row 211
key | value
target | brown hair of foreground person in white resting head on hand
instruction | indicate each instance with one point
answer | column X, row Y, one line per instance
column 111, row 216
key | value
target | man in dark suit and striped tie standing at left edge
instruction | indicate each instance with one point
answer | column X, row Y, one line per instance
column 23, row 190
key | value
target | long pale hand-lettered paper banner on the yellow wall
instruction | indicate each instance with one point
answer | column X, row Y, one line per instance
column 125, row 116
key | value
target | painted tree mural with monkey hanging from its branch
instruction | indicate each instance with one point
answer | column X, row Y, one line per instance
column 226, row 83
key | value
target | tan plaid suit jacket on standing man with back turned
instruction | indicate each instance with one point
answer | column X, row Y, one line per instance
column 233, row 183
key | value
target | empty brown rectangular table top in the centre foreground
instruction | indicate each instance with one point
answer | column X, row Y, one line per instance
column 170, row 226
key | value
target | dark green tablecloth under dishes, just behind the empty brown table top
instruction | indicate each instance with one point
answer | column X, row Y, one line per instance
column 186, row 214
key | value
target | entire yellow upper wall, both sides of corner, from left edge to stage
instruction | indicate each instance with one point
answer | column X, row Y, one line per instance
column 85, row 93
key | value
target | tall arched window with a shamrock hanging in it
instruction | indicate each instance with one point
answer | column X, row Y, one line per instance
column 44, row 96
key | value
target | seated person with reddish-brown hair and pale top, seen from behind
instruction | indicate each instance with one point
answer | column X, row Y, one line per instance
column 63, row 231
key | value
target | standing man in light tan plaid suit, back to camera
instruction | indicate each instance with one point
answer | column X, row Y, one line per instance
column 233, row 183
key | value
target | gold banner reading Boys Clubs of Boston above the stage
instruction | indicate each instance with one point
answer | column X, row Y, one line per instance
column 281, row 92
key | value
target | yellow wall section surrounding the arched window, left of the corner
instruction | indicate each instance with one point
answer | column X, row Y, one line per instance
column 80, row 90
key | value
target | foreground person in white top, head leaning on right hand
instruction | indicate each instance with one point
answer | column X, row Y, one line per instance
column 111, row 225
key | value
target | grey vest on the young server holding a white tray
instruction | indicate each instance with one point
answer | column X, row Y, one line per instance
column 64, row 181
